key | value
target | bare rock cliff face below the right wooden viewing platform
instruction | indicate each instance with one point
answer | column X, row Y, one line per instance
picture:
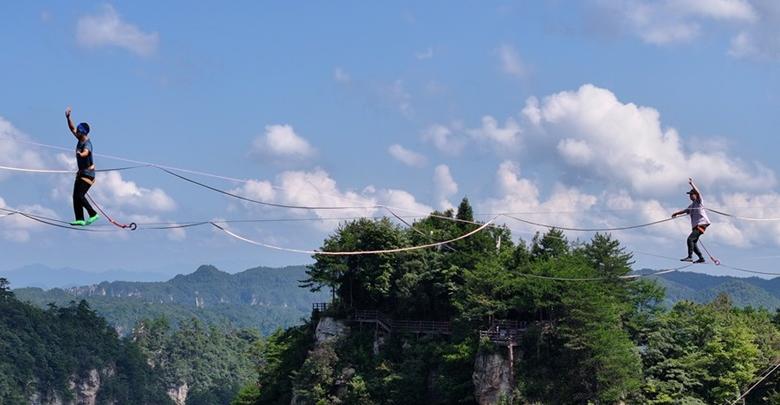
column 492, row 378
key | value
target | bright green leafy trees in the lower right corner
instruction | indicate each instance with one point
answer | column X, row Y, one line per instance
column 707, row 353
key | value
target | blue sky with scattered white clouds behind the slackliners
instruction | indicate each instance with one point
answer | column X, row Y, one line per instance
column 592, row 114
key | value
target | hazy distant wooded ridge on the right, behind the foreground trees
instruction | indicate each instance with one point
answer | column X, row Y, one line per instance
column 697, row 287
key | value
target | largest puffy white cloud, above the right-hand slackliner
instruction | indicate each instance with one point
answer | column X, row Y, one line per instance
column 624, row 142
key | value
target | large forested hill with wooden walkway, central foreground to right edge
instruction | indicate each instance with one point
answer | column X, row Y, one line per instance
column 436, row 327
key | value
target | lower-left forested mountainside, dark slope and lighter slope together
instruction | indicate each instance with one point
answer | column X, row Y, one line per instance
column 70, row 355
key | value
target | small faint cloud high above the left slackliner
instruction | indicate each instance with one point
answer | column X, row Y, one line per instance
column 108, row 29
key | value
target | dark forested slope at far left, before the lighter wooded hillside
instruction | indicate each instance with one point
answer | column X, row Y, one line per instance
column 43, row 352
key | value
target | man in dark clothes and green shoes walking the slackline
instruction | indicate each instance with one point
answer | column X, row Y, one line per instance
column 85, row 177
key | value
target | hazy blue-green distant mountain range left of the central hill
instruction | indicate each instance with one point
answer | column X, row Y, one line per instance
column 260, row 298
